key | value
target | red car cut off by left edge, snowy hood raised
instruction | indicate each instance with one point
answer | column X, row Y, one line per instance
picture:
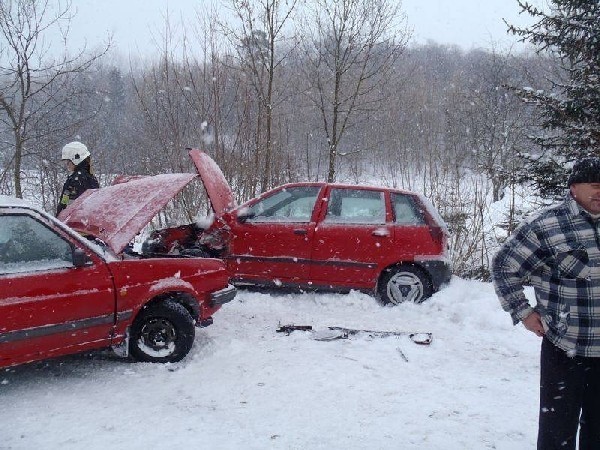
column 61, row 293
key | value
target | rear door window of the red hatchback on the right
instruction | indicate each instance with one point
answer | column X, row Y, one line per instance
column 355, row 206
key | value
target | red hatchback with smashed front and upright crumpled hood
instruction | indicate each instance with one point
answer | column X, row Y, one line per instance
column 320, row 236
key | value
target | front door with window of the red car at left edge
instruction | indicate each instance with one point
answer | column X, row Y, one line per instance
column 49, row 307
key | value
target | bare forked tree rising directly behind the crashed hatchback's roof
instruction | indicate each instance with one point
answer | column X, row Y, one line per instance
column 350, row 47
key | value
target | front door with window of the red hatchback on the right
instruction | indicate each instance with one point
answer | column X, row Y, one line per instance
column 271, row 237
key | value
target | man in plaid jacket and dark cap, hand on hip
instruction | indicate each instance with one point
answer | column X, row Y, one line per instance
column 558, row 253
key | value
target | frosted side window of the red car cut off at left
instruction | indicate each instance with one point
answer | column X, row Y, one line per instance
column 27, row 245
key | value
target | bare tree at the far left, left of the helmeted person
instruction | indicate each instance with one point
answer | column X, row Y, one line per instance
column 33, row 81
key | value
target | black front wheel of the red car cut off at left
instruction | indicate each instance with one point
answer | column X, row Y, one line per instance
column 163, row 332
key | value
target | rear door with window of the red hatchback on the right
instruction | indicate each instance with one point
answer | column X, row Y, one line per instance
column 353, row 238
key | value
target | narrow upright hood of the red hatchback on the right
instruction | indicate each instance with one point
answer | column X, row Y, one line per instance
column 217, row 188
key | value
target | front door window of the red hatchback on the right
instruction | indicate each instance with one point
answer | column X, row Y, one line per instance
column 293, row 204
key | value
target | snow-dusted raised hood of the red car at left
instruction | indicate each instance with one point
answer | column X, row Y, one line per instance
column 115, row 214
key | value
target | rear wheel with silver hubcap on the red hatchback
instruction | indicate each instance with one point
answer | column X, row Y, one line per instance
column 404, row 283
